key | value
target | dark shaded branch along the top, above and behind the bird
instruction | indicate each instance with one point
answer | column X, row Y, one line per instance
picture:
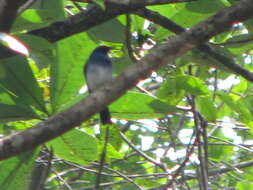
column 85, row 20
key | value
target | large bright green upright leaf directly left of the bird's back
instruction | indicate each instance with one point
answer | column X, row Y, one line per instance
column 67, row 72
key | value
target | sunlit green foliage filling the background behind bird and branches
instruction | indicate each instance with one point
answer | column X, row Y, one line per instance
column 193, row 98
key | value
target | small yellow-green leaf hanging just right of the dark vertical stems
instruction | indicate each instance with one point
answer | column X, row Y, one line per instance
column 207, row 108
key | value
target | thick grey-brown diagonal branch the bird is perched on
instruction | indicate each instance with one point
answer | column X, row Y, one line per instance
column 57, row 124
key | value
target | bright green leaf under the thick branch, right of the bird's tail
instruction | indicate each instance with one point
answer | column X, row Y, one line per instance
column 139, row 106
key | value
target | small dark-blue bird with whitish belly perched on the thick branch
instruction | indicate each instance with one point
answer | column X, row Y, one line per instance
column 97, row 73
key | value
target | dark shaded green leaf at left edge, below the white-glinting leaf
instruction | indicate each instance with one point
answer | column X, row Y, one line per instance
column 17, row 77
